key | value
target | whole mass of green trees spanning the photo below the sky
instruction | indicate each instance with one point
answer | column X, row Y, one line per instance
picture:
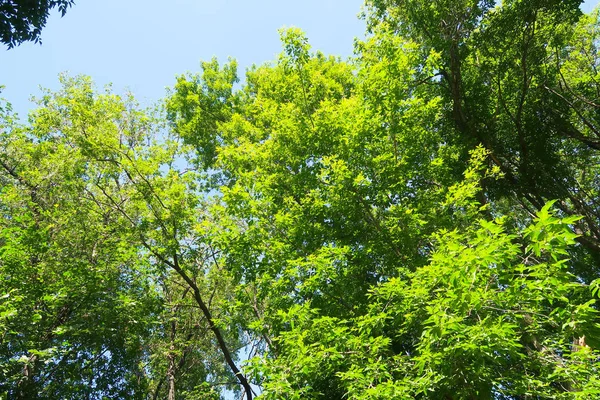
column 420, row 221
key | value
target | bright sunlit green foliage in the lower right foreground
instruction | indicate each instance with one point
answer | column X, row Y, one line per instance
column 493, row 315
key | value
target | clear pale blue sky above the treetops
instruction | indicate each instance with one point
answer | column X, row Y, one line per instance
column 142, row 44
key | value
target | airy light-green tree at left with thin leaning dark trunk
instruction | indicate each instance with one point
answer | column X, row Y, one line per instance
column 89, row 307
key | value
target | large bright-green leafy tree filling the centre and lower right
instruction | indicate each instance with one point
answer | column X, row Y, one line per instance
column 342, row 192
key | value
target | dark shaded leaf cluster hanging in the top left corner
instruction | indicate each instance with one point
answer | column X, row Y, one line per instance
column 23, row 20
